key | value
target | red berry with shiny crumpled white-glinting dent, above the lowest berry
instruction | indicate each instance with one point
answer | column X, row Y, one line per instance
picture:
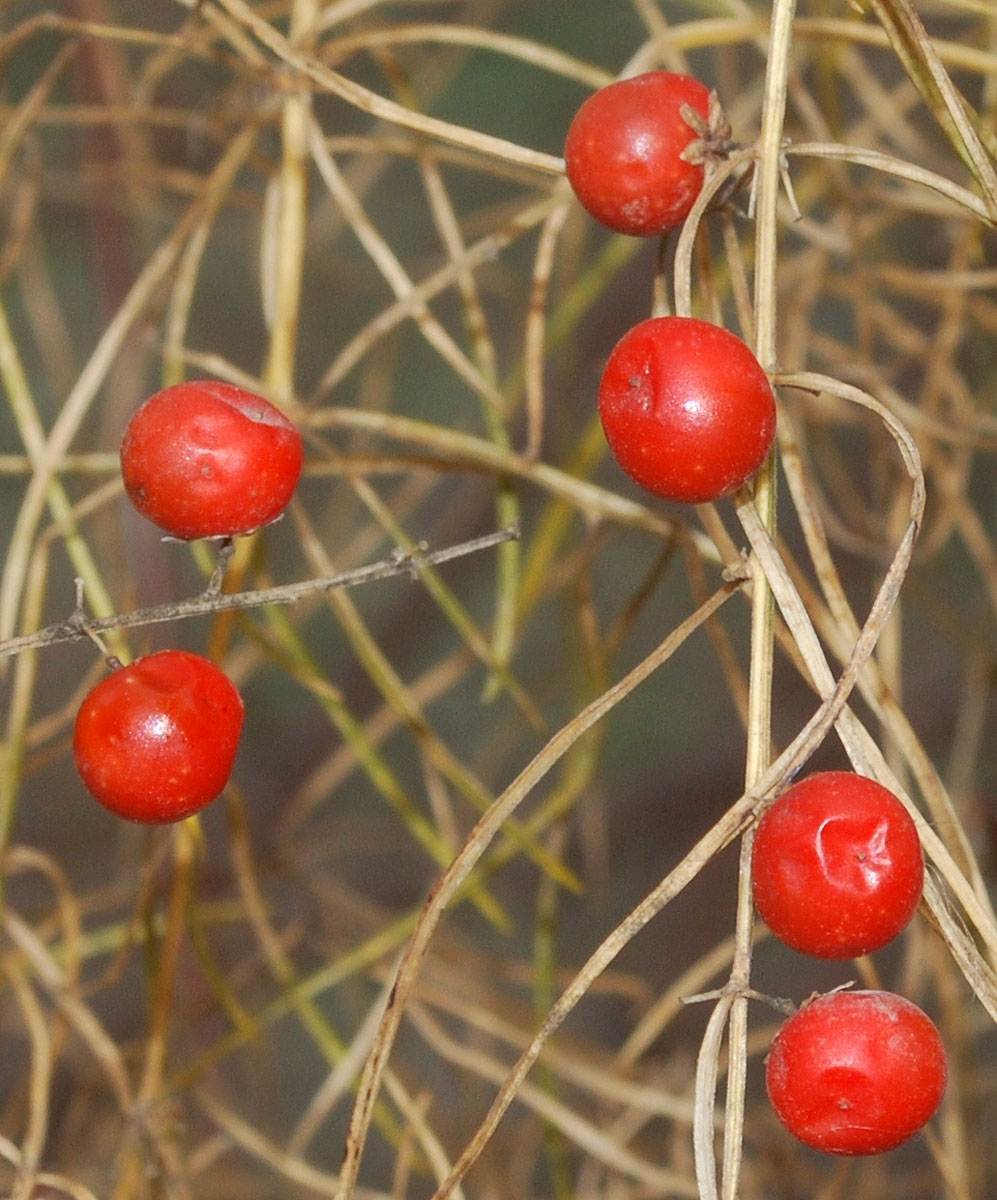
column 838, row 867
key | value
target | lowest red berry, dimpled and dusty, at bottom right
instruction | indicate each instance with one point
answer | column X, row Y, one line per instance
column 856, row 1072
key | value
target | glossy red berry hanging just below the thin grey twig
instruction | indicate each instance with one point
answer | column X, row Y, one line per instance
column 155, row 741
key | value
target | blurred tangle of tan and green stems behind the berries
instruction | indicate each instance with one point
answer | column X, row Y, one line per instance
column 250, row 191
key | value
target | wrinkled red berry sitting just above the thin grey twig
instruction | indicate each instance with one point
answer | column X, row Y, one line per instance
column 207, row 460
